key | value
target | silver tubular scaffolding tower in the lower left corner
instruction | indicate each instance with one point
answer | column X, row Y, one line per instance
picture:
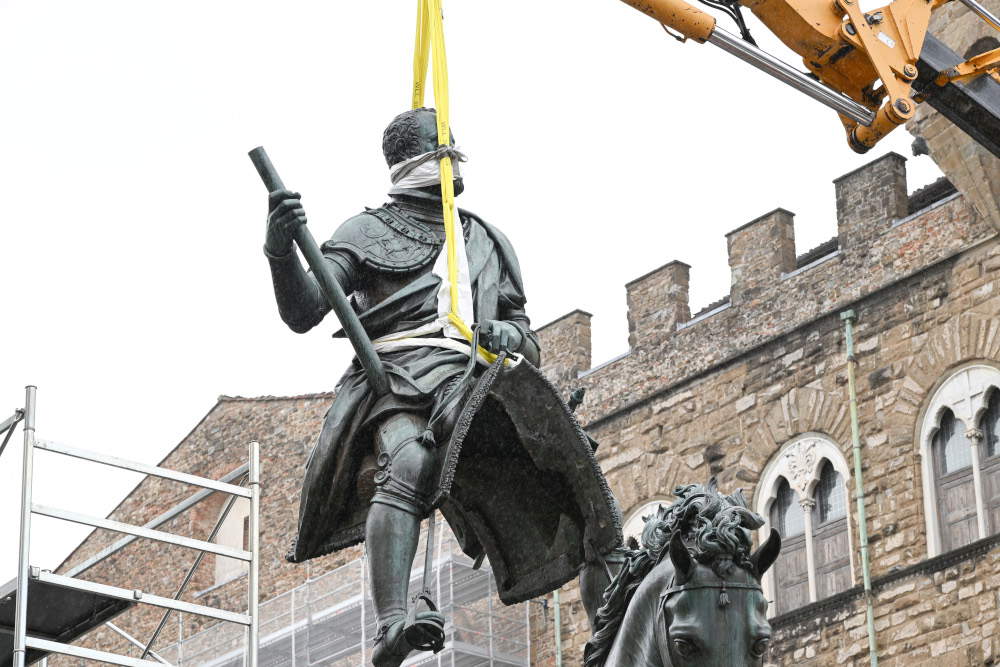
column 25, row 573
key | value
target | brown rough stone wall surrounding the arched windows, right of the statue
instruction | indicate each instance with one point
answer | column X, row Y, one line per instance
column 721, row 394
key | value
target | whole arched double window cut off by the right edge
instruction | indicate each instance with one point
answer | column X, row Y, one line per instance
column 961, row 464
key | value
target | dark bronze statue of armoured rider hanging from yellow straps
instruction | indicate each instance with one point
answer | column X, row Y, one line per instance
column 448, row 434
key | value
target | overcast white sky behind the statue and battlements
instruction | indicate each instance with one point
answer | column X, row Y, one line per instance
column 133, row 290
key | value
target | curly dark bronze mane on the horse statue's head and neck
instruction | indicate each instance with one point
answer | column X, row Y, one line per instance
column 714, row 527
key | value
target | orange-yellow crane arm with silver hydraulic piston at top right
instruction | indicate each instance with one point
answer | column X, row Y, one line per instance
column 861, row 64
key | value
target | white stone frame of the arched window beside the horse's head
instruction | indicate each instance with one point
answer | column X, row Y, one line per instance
column 800, row 461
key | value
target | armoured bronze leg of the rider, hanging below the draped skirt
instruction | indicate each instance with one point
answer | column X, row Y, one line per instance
column 404, row 486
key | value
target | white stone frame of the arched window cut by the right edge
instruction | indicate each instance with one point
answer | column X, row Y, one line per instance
column 965, row 391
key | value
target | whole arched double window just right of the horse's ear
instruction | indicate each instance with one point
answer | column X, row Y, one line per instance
column 803, row 495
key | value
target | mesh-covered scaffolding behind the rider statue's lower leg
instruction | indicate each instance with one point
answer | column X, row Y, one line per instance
column 329, row 621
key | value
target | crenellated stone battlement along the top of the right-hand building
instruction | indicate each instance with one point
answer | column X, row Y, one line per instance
column 883, row 235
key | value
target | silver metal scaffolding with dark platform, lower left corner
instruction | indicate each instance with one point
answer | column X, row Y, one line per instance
column 100, row 602
